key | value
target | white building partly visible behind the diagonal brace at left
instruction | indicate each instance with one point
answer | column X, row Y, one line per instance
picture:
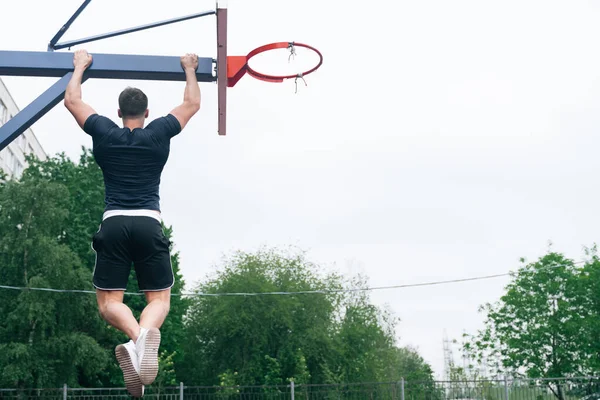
column 12, row 157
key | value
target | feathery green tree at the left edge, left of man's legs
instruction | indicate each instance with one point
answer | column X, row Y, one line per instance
column 46, row 339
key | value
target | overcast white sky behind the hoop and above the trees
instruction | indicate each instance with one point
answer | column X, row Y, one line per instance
column 439, row 140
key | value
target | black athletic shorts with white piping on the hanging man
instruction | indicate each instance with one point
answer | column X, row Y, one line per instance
column 138, row 240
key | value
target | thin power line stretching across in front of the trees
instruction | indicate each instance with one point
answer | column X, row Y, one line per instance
column 301, row 292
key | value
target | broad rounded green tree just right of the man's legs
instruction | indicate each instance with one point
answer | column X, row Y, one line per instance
column 252, row 338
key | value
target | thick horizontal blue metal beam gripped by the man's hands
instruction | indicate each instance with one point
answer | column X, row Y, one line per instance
column 104, row 66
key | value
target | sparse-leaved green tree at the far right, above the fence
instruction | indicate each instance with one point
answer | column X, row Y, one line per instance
column 537, row 328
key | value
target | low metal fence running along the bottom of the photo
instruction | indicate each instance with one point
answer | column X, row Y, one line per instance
column 513, row 389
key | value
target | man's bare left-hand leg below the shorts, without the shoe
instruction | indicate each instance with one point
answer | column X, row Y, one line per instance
column 117, row 314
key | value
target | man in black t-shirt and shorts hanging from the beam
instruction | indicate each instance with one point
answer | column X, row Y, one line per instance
column 132, row 159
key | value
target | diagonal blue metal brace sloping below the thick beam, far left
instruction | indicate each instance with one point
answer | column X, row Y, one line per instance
column 34, row 111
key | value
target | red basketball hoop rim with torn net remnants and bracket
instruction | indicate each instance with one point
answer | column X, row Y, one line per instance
column 237, row 66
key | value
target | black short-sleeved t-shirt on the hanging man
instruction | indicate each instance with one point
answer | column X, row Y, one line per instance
column 131, row 160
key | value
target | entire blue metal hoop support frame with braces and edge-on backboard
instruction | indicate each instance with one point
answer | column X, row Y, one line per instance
column 107, row 66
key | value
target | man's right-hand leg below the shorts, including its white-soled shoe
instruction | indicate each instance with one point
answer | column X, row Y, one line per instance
column 151, row 320
